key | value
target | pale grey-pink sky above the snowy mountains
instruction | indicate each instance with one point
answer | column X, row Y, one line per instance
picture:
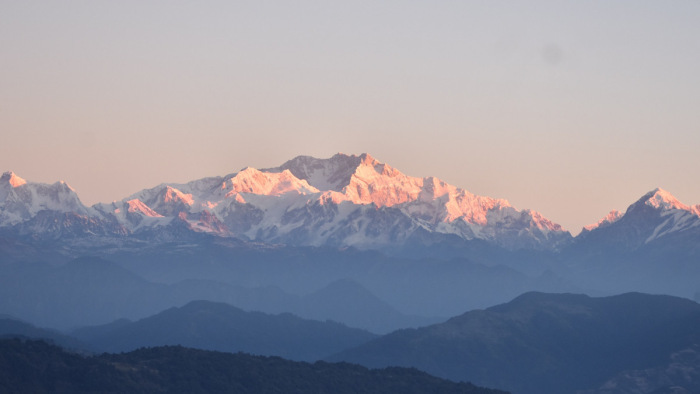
column 568, row 108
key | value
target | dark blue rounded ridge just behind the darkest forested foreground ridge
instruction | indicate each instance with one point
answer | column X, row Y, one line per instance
column 218, row 326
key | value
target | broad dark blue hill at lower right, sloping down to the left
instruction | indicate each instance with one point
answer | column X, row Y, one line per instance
column 543, row 343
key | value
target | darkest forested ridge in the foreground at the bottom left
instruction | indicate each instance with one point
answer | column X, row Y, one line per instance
column 36, row 367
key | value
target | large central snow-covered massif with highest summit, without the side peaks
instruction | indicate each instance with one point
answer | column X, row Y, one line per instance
column 345, row 200
